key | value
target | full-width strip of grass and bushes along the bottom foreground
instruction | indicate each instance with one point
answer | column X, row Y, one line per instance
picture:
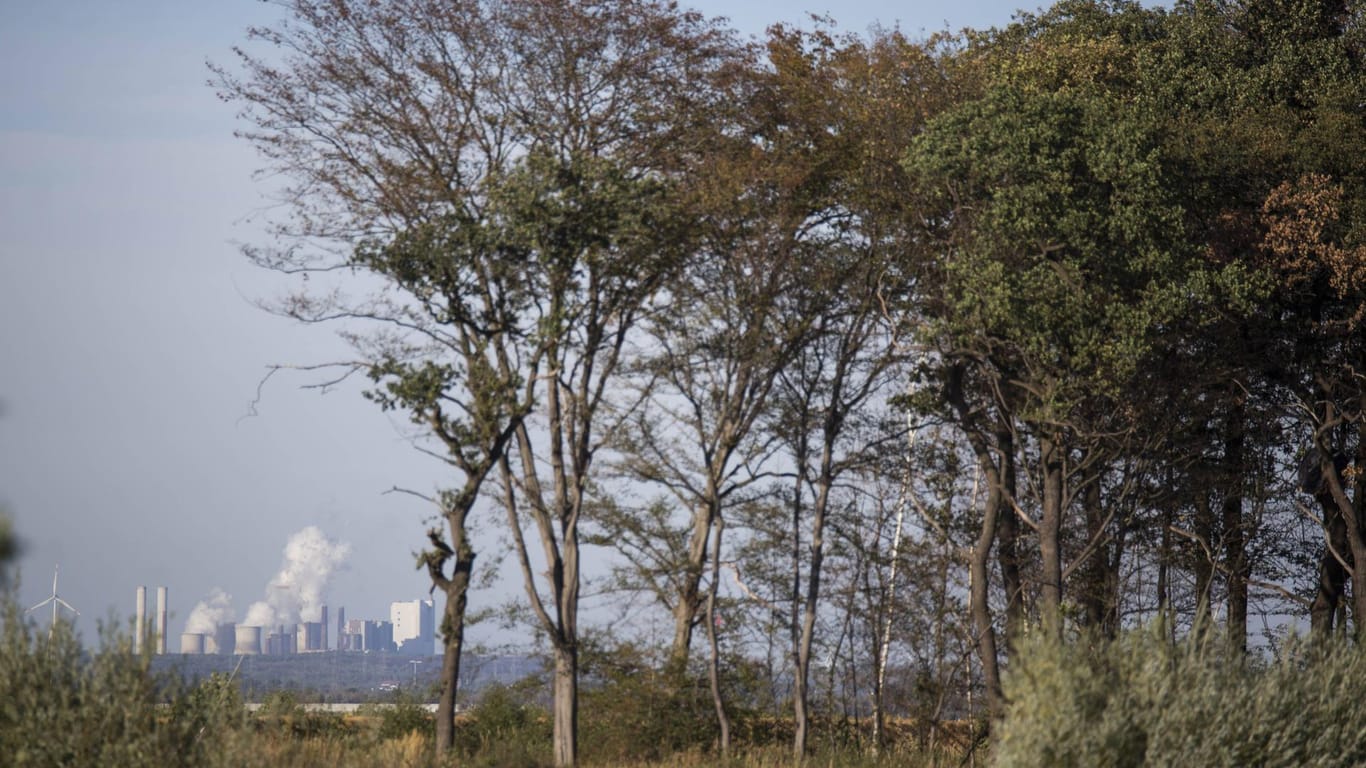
column 1140, row 700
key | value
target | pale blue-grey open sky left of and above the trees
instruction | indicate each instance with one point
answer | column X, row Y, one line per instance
column 135, row 449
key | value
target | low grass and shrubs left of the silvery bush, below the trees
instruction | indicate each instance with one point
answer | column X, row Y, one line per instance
column 65, row 706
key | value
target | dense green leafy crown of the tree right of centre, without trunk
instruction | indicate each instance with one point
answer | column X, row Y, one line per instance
column 1065, row 245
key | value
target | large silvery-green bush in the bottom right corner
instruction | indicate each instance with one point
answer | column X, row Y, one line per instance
column 1144, row 702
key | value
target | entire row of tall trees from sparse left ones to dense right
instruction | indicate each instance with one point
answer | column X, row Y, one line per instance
column 865, row 357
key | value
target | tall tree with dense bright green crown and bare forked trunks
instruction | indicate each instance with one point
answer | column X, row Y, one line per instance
column 1058, row 253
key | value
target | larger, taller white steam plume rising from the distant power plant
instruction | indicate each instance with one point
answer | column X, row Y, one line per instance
column 296, row 594
